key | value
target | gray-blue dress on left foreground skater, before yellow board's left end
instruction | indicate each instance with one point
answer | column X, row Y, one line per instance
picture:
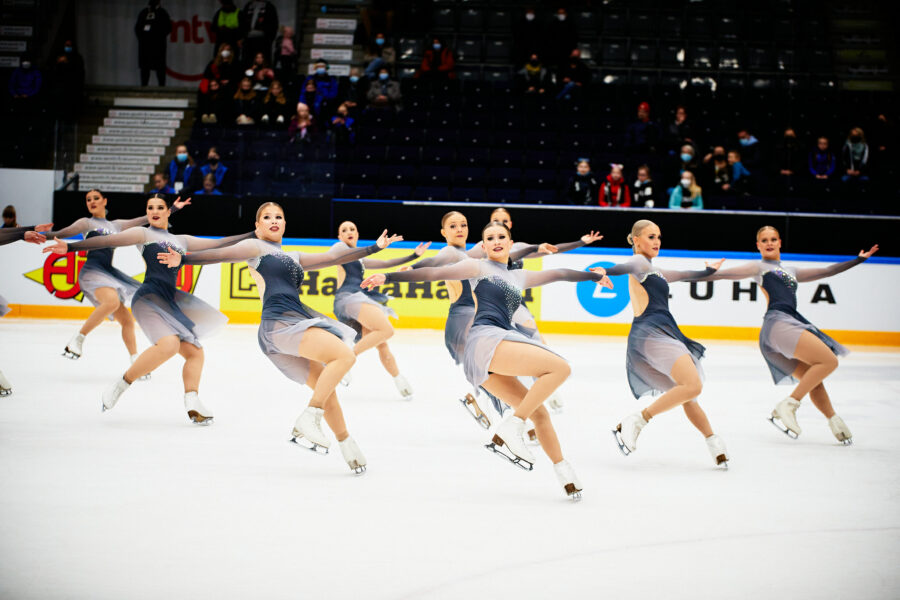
column 285, row 318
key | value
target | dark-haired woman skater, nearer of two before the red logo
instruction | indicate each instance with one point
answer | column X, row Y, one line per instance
column 173, row 321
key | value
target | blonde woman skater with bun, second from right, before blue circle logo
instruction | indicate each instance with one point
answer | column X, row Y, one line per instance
column 660, row 358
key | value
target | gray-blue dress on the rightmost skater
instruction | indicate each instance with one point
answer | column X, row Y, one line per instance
column 782, row 324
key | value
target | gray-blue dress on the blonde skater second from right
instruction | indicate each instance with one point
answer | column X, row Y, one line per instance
column 655, row 342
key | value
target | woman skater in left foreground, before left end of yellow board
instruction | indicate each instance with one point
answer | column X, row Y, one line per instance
column 306, row 346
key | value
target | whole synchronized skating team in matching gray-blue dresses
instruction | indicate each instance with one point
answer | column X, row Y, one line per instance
column 489, row 330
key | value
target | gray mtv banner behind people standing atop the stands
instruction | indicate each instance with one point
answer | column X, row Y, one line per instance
column 109, row 46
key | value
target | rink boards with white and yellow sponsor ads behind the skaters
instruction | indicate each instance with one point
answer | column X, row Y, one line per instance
column 854, row 306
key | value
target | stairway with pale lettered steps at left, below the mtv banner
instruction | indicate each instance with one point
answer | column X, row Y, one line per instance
column 128, row 147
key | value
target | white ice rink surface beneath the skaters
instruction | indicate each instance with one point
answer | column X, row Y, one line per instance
column 140, row 503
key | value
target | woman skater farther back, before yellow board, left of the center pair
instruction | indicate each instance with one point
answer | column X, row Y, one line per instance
column 367, row 311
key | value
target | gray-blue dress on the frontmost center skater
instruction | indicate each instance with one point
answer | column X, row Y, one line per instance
column 498, row 294
